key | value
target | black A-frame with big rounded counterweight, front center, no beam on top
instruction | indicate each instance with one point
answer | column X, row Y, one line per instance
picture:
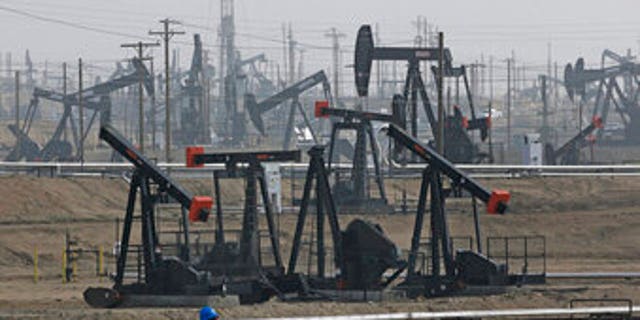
column 362, row 253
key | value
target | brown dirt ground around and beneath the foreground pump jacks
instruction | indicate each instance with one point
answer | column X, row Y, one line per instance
column 590, row 224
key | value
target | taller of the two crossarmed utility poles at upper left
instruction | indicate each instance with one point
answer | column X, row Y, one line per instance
column 166, row 35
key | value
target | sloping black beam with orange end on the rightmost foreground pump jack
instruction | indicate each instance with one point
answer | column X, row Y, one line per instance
column 496, row 200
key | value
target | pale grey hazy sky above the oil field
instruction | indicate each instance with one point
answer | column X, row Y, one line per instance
column 472, row 27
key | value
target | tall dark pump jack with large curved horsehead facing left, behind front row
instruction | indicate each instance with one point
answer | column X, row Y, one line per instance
column 457, row 143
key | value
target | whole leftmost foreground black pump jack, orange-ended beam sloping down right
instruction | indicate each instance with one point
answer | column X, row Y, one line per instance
column 163, row 275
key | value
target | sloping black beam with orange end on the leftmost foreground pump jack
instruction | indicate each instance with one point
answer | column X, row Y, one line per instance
column 199, row 206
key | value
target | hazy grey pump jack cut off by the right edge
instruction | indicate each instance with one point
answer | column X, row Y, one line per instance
column 609, row 91
